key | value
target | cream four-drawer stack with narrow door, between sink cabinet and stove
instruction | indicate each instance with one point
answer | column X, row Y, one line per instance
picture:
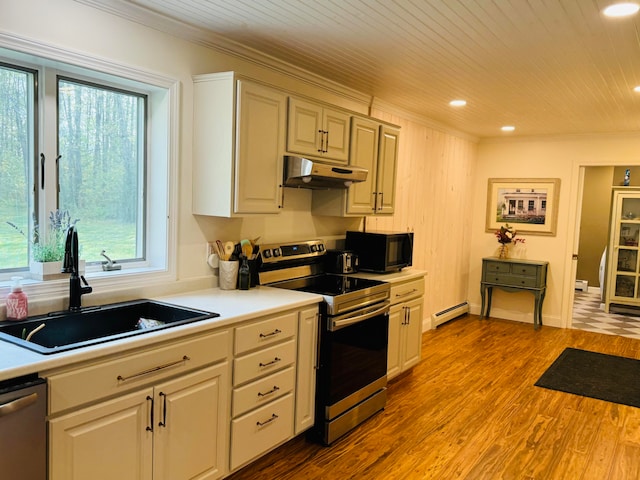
column 273, row 383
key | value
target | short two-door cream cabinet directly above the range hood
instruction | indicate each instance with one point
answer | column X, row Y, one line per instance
column 318, row 130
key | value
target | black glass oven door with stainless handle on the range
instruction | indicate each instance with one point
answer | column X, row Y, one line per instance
column 353, row 358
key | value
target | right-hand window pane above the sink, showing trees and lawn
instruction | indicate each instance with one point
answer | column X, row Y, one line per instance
column 101, row 165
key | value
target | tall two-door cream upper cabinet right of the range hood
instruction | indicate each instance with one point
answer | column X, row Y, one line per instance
column 374, row 146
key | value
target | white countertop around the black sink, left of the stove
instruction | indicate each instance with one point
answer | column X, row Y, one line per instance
column 232, row 305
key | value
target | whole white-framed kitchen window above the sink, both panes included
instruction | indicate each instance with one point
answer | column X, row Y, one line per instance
column 97, row 144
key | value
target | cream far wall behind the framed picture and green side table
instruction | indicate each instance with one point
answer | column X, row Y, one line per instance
column 545, row 157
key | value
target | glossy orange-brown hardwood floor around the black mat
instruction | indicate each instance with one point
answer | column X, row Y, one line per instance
column 470, row 410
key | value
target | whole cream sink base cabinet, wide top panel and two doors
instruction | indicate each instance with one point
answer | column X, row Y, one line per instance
column 157, row 423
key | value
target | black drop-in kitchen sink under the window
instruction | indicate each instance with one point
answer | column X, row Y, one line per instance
column 68, row 330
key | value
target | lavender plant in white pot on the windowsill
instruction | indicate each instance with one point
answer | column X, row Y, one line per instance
column 47, row 249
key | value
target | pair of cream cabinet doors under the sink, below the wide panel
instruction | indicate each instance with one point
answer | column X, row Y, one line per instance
column 172, row 431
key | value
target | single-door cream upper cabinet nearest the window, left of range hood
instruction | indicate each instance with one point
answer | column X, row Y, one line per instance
column 239, row 129
